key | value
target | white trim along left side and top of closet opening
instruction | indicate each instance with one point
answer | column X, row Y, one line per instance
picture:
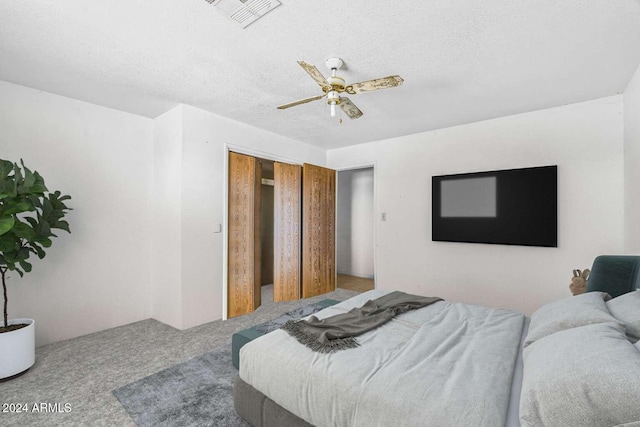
column 225, row 208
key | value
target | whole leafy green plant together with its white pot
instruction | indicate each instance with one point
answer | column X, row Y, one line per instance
column 28, row 213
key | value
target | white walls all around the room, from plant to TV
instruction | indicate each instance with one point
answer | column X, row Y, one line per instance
column 145, row 204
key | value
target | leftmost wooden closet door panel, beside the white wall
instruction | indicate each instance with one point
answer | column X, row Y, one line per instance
column 243, row 293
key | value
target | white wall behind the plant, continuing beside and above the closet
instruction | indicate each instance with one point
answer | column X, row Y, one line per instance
column 146, row 196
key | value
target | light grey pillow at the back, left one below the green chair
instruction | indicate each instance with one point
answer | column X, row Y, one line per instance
column 580, row 310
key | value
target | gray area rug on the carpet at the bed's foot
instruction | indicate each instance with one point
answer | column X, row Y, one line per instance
column 198, row 392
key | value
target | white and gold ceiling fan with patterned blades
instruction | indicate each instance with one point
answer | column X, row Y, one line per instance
column 335, row 85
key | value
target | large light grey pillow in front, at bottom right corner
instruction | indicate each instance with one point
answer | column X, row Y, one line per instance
column 585, row 376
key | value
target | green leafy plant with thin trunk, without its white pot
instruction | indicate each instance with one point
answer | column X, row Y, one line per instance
column 28, row 213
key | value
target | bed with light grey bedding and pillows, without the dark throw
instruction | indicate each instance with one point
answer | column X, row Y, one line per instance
column 454, row 364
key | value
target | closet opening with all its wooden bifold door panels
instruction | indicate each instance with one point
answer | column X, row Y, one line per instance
column 297, row 255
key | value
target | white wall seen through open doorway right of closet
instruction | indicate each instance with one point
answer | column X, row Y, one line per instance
column 354, row 223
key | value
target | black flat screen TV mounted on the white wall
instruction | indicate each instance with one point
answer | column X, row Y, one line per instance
column 505, row 207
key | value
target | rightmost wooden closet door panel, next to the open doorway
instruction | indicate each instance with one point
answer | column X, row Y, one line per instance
column 318, row 230
